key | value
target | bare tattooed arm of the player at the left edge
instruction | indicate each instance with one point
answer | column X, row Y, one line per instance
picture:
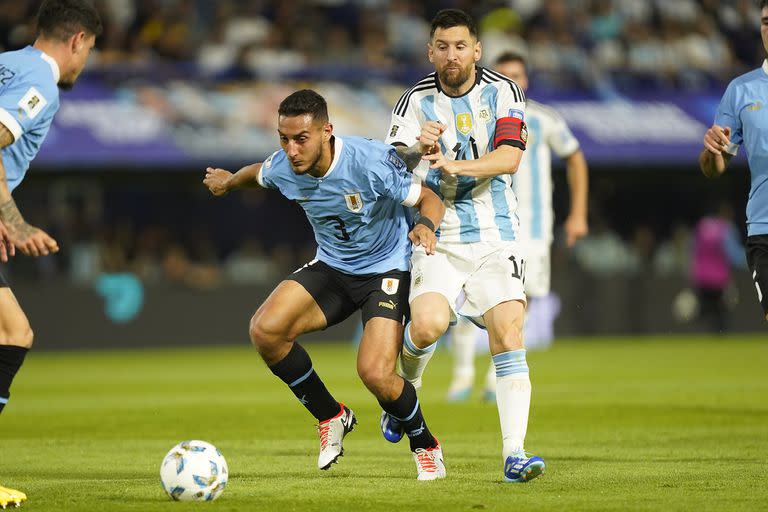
column 28, row 239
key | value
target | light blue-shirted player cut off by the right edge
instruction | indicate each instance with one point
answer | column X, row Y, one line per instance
column 741, row 119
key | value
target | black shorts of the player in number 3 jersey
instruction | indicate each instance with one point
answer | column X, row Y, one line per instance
column 339, row 294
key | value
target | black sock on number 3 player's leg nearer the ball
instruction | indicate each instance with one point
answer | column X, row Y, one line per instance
column 296, row 370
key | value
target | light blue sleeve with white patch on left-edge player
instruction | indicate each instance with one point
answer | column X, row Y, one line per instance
column 23, row 105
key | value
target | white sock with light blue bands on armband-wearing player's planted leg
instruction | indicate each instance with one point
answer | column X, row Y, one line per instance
column 513, row 398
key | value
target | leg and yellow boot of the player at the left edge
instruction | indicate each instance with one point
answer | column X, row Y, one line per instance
column 15, row 341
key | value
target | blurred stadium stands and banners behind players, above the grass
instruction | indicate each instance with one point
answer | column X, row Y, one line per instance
column 177, row 85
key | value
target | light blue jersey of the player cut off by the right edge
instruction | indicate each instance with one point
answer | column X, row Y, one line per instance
column 744, row 109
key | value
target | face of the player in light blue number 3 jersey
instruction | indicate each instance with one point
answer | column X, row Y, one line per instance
column 302, row 138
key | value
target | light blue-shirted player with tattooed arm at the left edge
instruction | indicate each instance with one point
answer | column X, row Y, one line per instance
column 29, row 98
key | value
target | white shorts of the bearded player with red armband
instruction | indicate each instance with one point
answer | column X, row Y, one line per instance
column 488, row 273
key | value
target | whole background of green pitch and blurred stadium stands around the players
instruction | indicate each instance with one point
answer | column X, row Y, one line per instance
column 632, row 409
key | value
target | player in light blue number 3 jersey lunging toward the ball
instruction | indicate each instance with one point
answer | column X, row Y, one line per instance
column 355, row 192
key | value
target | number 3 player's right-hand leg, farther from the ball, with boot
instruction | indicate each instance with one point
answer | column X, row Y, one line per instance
column 376, row 365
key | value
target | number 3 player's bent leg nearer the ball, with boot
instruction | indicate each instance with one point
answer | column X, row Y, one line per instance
column 303, row 304
